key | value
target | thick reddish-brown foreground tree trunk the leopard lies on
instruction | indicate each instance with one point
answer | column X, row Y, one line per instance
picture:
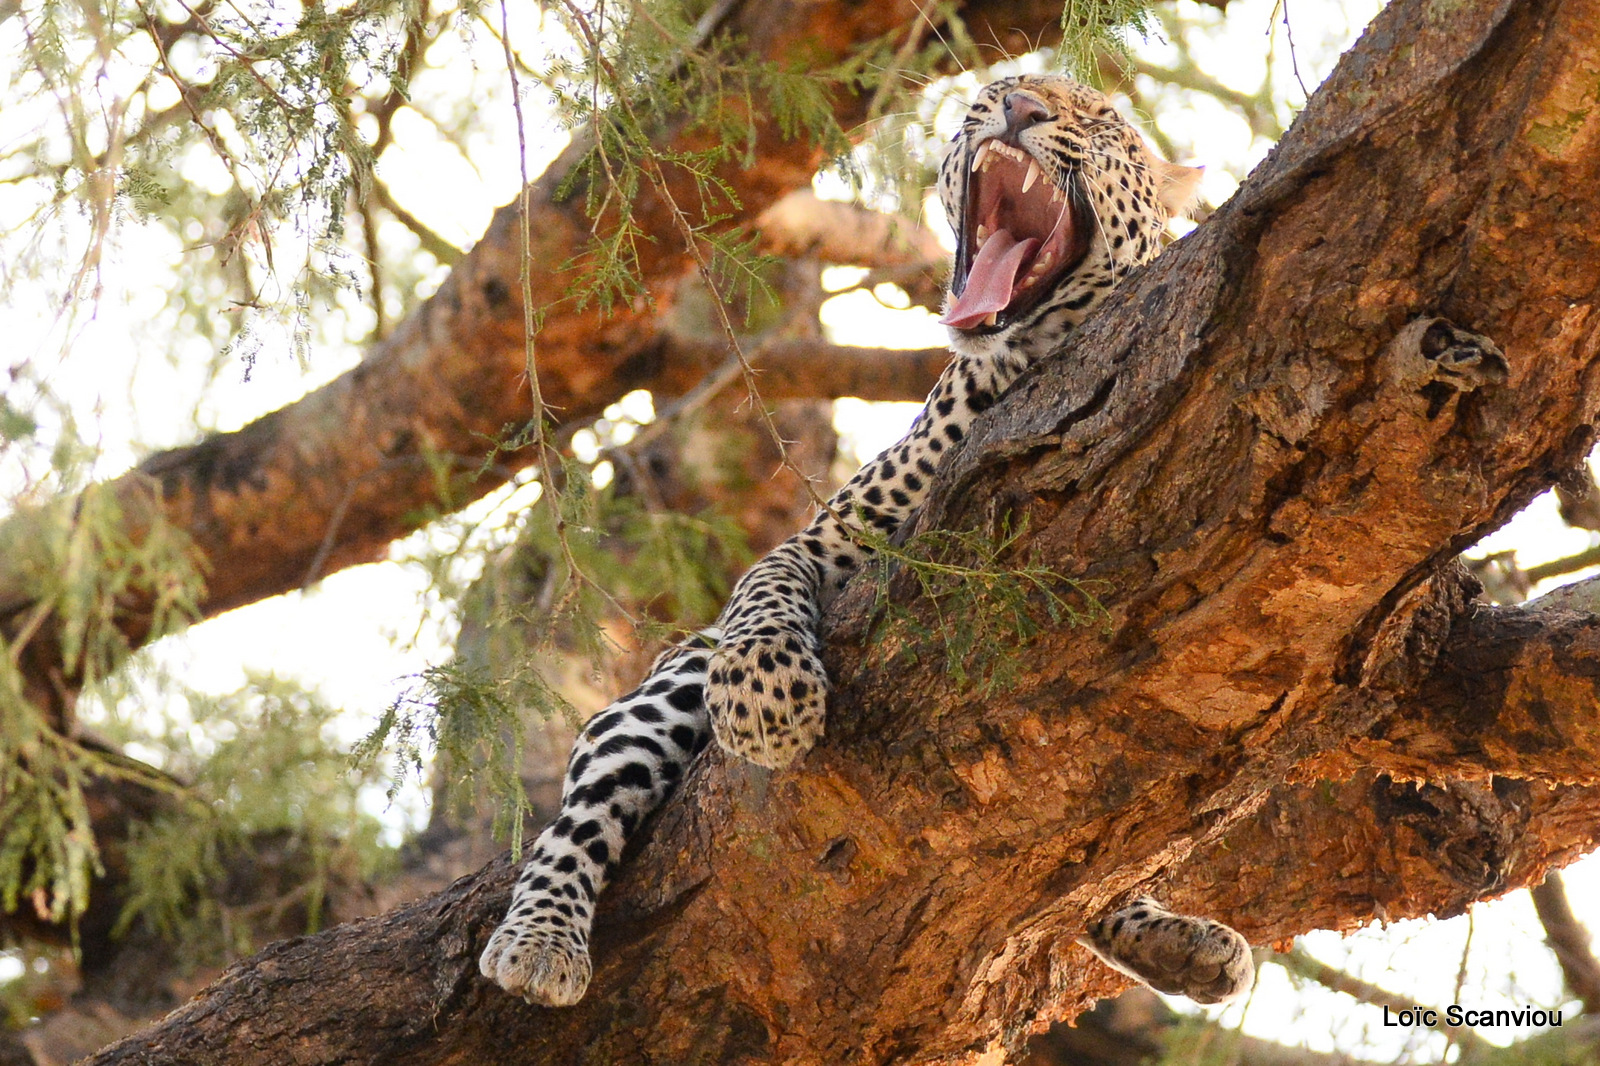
column 1268, row 476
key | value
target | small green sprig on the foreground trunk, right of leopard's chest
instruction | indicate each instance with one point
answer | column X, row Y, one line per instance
column 983, row 607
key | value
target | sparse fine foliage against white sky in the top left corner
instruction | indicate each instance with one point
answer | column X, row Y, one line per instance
column 265, row 90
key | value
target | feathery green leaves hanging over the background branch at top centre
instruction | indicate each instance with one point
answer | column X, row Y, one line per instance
column 647, row 66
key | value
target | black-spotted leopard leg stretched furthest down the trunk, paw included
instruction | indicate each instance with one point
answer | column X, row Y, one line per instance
column 625, row 764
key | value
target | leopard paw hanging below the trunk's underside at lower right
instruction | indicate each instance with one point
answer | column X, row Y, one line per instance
column 1174, row 953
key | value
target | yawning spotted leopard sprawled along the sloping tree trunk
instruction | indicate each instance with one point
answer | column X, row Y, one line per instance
column 1054, row 199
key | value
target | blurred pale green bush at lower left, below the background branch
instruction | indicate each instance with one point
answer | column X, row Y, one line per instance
column 270, row 819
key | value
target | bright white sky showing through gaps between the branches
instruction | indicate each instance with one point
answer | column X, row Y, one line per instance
column 359, row 636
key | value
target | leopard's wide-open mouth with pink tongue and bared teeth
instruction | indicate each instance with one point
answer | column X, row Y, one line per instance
column 1020, row 236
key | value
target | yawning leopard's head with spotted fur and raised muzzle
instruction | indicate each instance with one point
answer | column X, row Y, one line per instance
column 1054, row 199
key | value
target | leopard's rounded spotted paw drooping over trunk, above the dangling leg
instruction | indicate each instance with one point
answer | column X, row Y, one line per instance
column 767, row 699
